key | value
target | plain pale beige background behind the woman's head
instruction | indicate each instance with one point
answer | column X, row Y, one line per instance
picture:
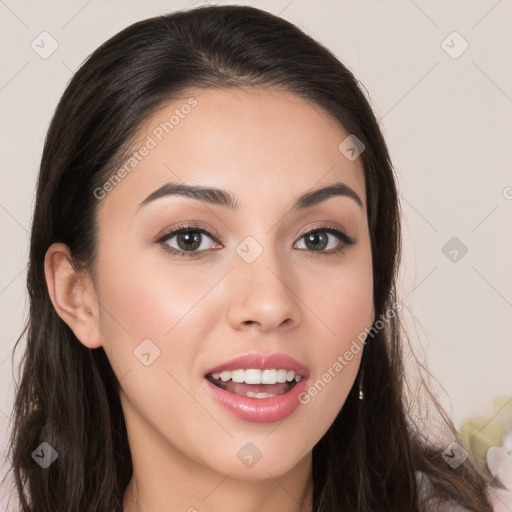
column 448, row 123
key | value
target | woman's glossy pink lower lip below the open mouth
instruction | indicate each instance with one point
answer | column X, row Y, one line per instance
column 258, row 410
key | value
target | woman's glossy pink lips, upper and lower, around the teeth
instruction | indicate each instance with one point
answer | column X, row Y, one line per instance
column 259, row 410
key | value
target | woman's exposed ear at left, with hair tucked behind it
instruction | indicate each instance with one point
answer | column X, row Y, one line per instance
column 73, row 295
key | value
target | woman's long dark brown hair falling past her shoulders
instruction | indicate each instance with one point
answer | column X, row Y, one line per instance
column 67, row 395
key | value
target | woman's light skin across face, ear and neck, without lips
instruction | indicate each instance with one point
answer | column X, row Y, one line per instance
column 266, row 147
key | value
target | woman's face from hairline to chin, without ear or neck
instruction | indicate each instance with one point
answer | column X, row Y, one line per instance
column 265, row 278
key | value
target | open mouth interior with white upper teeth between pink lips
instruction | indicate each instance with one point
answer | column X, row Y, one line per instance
column 255, row 383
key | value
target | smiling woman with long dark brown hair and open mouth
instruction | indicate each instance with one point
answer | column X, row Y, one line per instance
column 213, row 321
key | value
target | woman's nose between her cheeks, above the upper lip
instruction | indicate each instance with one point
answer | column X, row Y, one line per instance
column 262, row 295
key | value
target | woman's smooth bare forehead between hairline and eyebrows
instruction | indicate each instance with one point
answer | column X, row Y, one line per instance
column 257, row 142
